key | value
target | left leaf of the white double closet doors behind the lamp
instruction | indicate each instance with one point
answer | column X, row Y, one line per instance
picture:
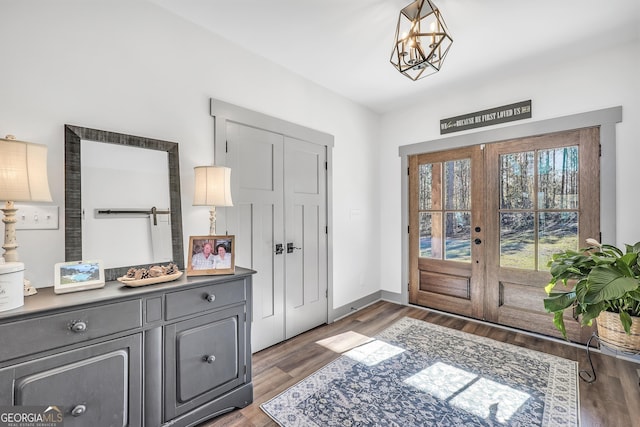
column 257, row 220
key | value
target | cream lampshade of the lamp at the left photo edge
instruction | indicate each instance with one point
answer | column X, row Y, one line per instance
column 23, row 171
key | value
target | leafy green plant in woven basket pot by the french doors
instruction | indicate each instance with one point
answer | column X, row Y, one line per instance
column 605, row 285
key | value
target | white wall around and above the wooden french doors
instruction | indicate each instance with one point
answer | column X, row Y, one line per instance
column 575, row 85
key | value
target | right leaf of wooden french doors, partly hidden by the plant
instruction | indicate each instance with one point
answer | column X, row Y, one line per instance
column 543, row 196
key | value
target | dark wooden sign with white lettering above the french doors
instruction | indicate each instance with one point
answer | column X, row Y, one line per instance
column 506, row 113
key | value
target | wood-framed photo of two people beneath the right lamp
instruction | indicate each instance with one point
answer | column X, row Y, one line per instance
column 209, row 255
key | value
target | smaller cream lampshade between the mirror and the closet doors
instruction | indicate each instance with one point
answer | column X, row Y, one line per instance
column 212, row 186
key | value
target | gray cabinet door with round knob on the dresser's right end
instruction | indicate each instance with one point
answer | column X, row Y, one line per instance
column 205, row 358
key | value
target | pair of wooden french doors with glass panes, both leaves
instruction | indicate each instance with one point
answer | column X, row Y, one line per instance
column 484, row 221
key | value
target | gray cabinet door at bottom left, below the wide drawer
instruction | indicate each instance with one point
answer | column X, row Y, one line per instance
column 98, row 385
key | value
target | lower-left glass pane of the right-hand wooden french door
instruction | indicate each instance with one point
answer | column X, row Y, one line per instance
column 517, row 240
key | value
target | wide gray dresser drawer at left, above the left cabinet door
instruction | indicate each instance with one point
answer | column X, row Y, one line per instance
column 58, row 330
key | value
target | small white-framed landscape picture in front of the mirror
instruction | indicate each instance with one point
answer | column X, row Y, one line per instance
column 78, row 276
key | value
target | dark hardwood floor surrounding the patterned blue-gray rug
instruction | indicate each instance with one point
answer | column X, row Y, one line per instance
column 613, row 400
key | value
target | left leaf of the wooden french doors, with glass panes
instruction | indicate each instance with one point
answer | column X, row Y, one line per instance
column 446, row 231
